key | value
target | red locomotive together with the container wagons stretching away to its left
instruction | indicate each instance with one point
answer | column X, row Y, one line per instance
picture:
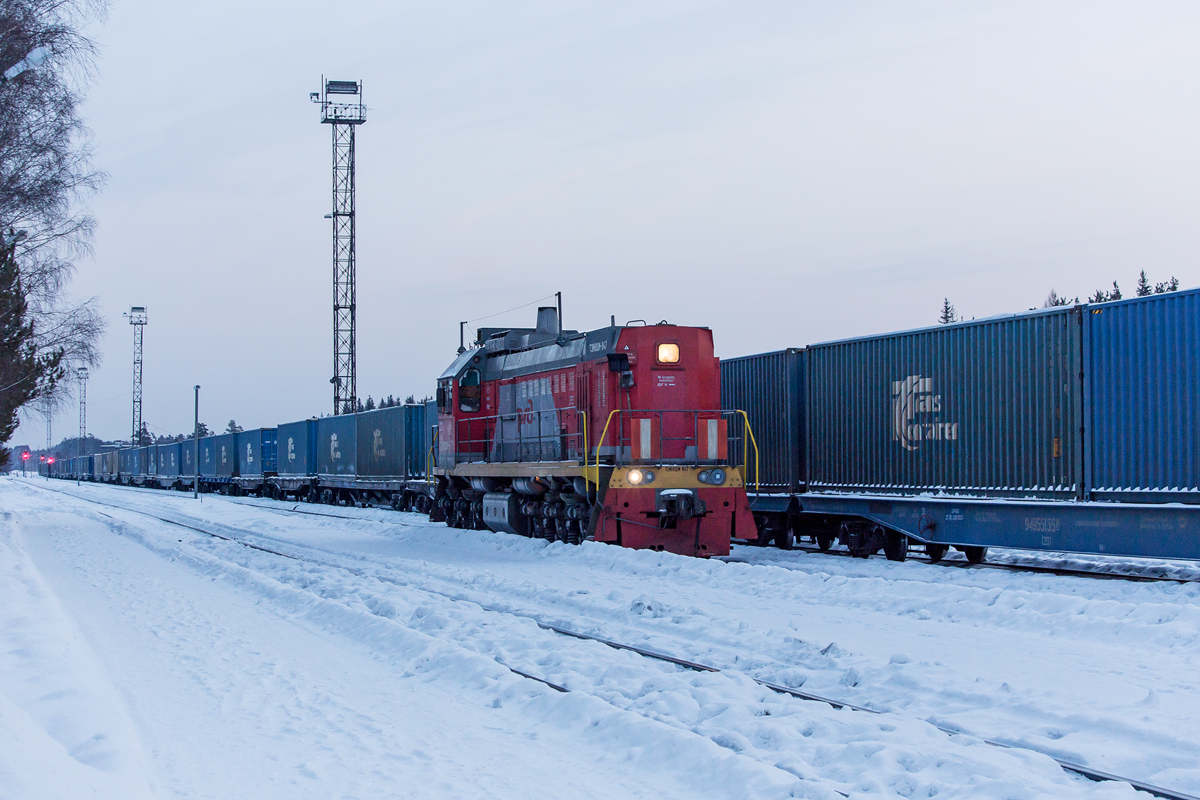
column 614, row 435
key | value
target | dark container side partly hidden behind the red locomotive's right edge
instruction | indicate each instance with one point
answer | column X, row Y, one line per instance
column 770, row 388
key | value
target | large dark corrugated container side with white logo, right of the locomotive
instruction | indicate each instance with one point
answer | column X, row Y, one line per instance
column 989, row 408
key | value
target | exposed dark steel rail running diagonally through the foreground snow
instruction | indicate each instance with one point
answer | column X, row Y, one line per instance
column 1071, row 767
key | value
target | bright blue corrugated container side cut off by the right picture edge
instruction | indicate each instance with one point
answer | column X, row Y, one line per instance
column 1143, row 380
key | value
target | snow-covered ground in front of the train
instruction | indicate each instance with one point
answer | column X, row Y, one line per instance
column 141, row 659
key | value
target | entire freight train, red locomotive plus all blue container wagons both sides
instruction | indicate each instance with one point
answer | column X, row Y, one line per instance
column 1073, row 429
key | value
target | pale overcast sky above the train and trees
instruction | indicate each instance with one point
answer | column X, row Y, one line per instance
column 784, row 173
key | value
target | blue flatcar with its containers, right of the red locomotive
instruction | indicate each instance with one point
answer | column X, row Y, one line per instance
column 1066, row 430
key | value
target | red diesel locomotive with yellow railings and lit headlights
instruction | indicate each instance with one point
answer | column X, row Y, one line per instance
column 615, row 435
